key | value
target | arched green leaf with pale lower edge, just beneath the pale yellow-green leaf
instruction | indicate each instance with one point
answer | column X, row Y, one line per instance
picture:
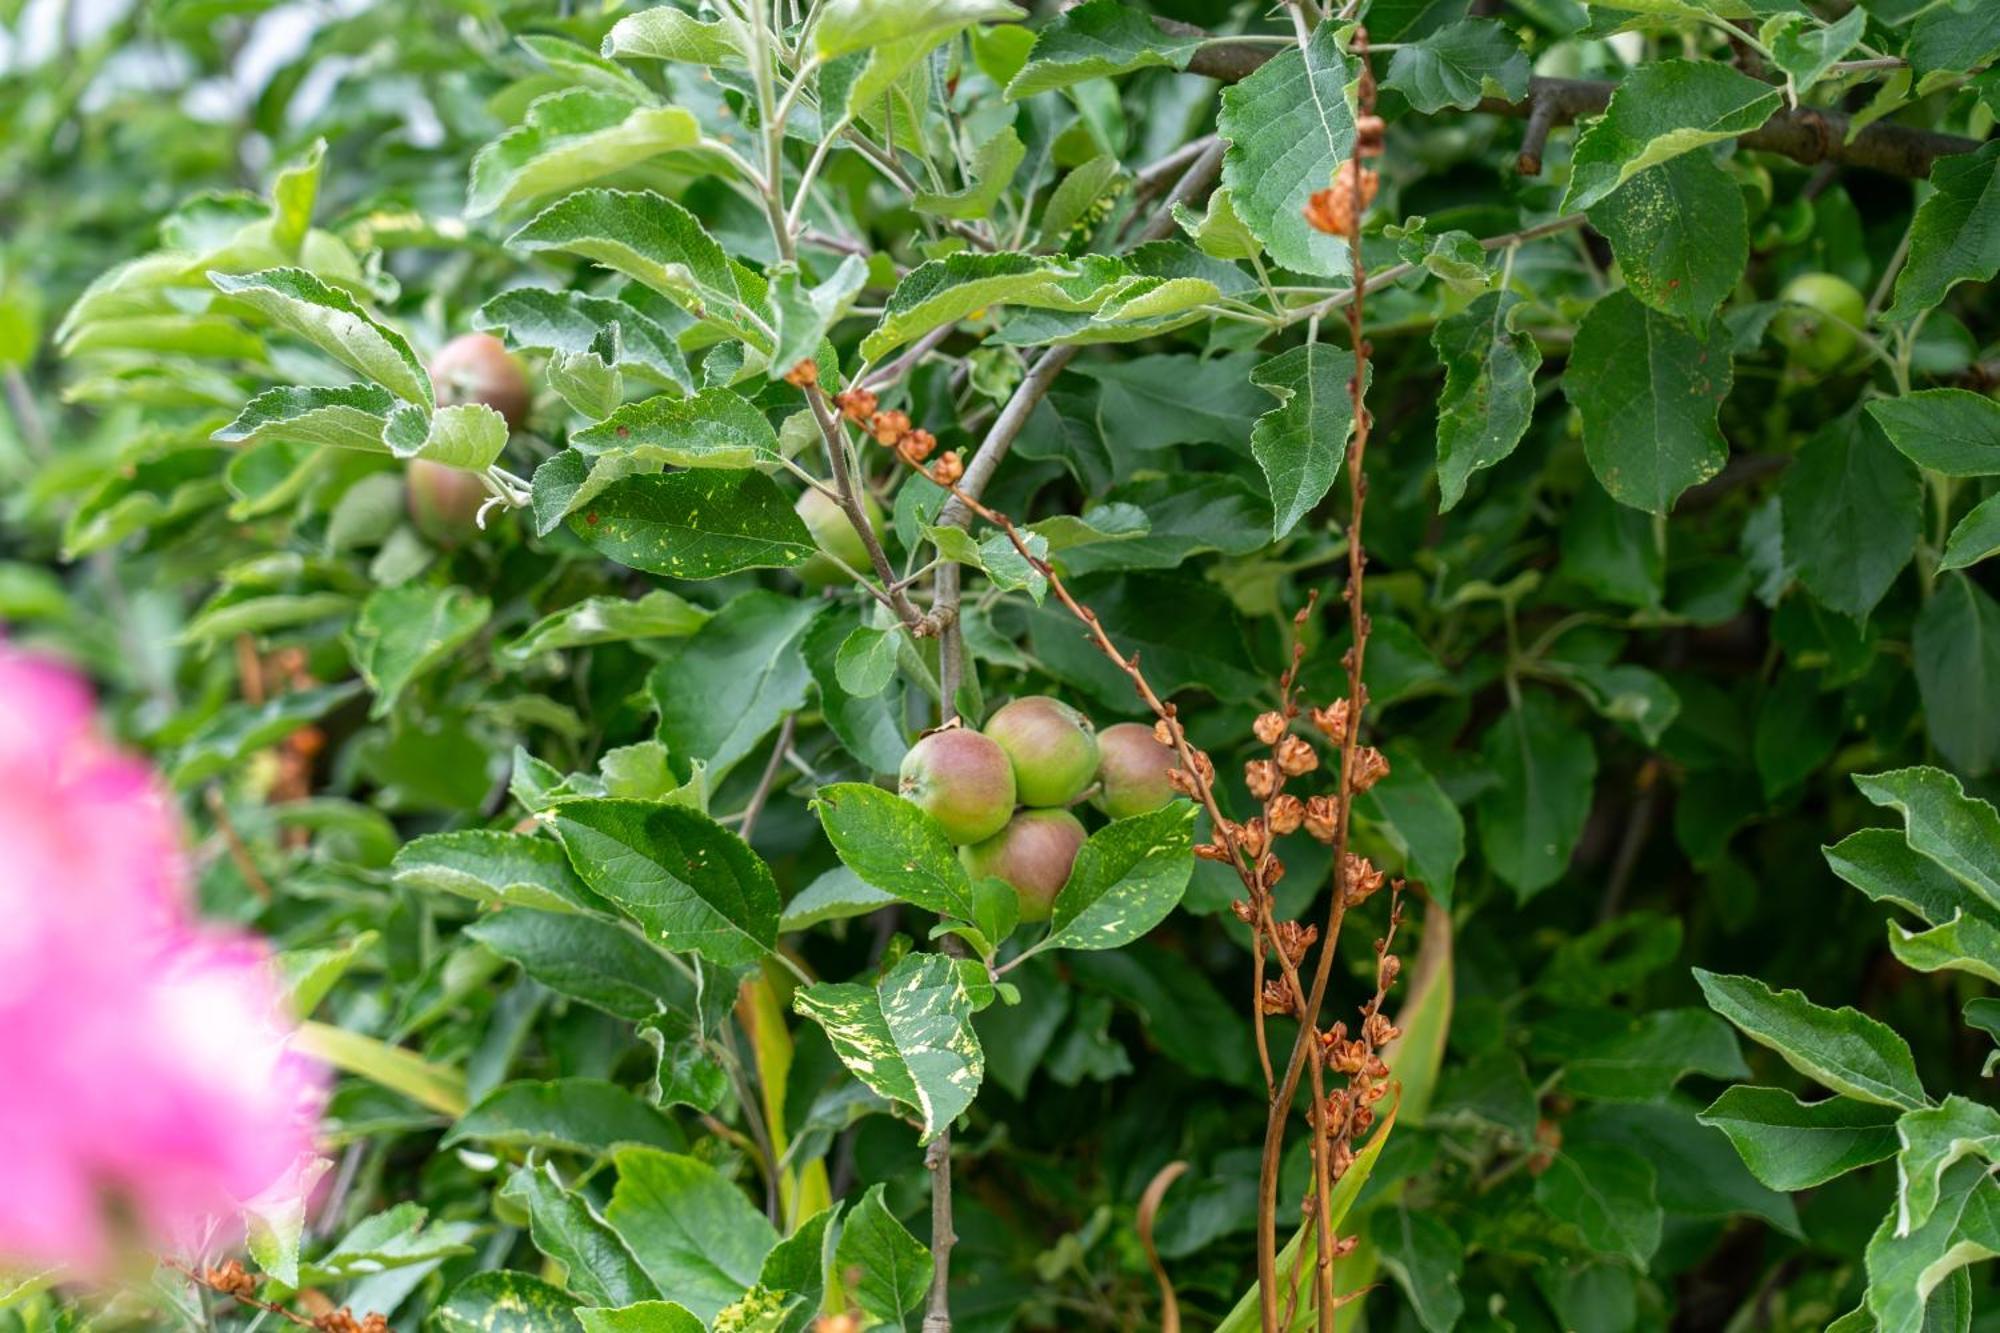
column 645, row 237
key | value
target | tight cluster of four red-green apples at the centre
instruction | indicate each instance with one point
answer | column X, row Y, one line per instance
column 1005, row 794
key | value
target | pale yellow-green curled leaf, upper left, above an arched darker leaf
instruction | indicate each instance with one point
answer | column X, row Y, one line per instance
column 571, row 139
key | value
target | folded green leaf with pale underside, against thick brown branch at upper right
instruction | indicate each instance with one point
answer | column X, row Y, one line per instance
column 1659, row 113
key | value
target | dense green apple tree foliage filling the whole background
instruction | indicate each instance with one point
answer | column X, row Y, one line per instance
column 1683, row 619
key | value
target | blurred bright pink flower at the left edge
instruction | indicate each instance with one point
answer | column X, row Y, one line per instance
column 145, row 1078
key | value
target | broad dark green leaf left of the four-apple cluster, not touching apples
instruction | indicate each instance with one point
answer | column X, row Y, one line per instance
column 685, row 880
